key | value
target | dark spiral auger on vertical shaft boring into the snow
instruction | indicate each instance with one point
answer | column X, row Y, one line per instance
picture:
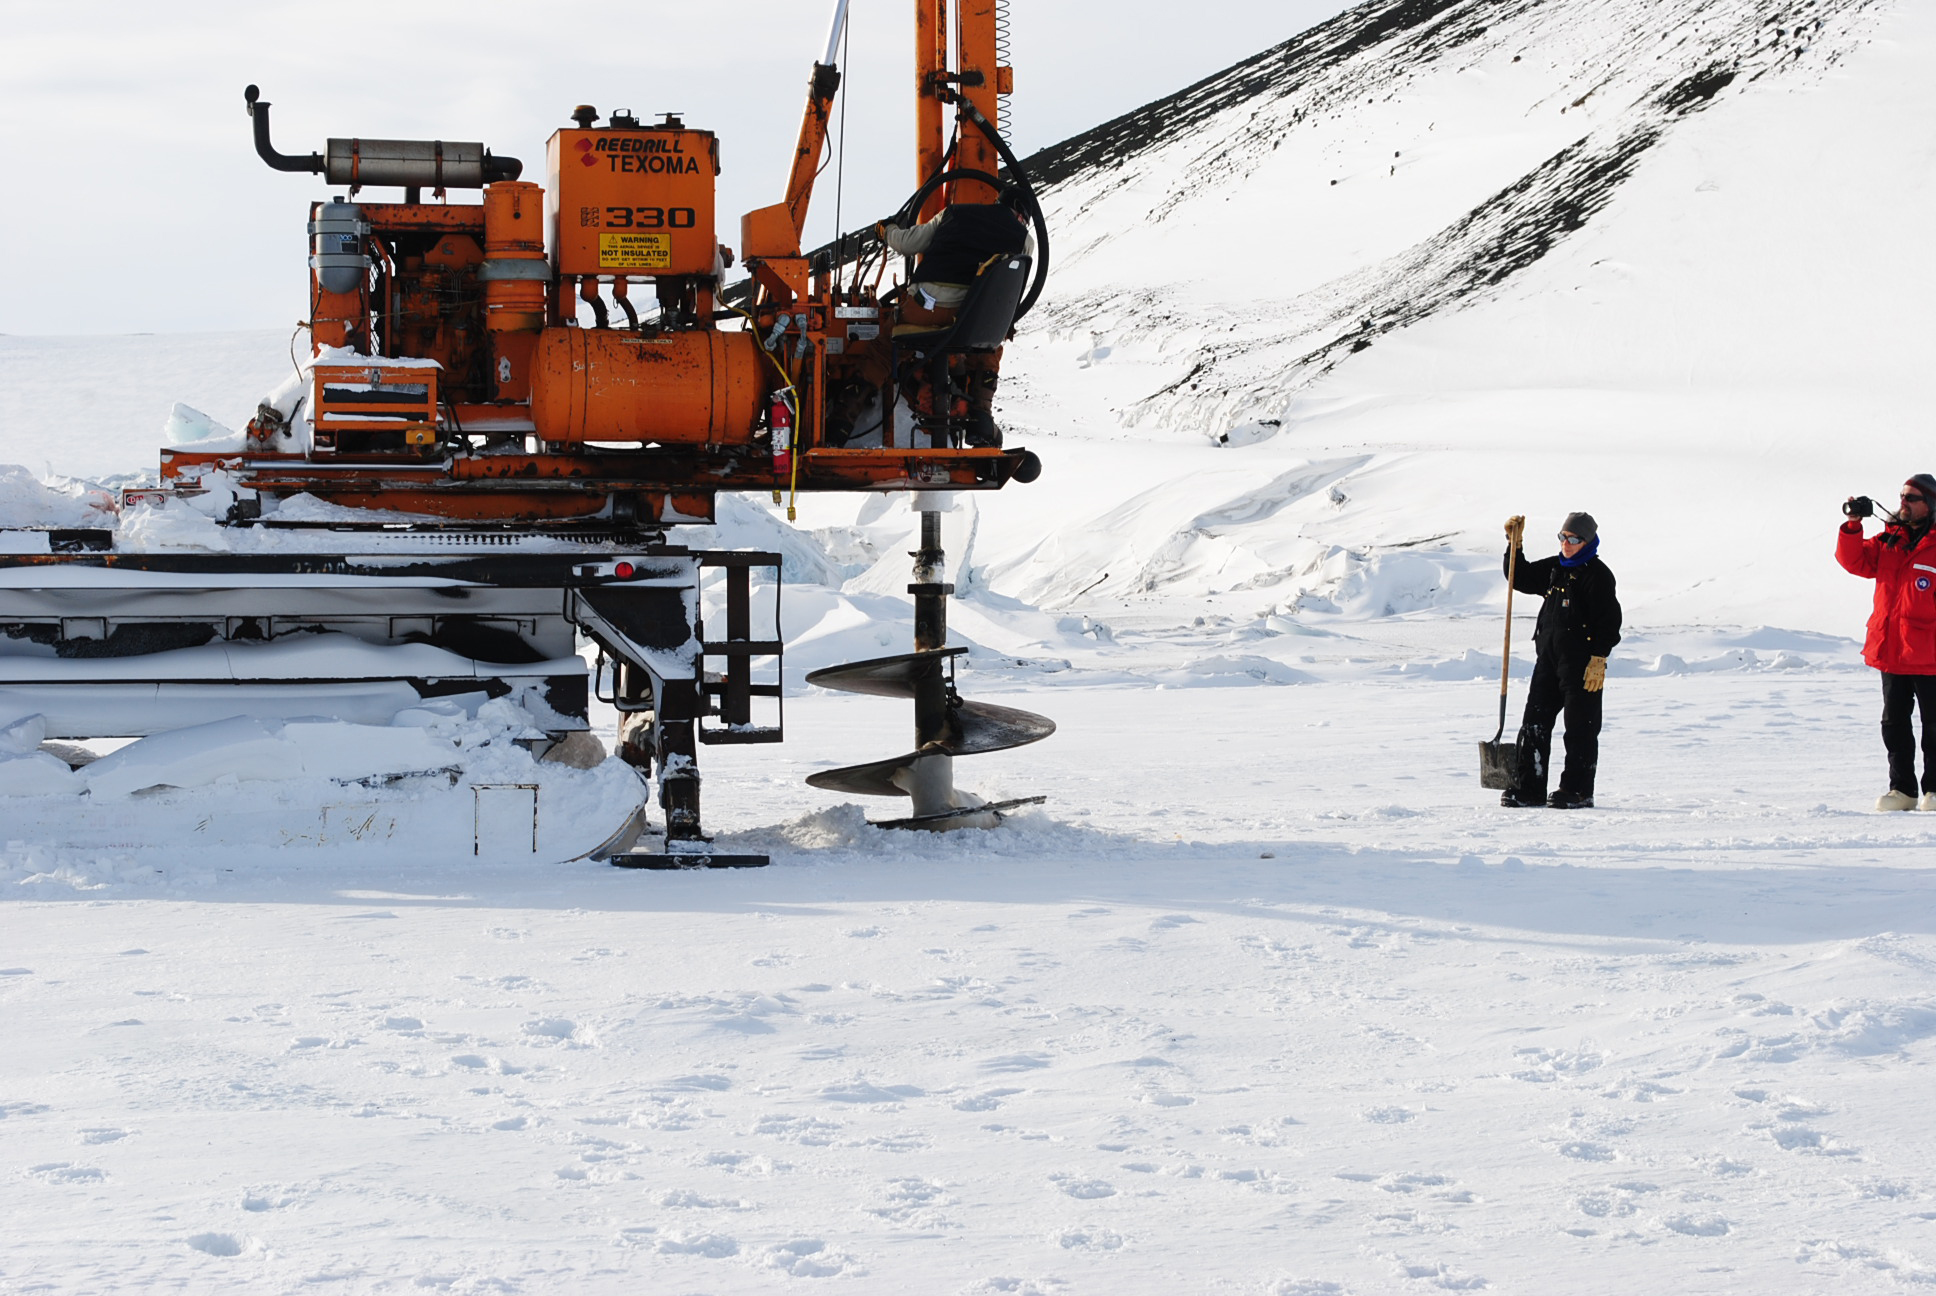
column 944, row 724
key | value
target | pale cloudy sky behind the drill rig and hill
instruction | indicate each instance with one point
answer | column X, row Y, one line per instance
column 138, row 206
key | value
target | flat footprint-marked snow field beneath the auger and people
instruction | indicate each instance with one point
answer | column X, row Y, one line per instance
column 1286, row 1006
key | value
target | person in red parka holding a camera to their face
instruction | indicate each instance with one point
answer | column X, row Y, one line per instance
column 1902, row 633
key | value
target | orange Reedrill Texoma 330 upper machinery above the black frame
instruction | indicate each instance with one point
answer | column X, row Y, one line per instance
column 529, row 417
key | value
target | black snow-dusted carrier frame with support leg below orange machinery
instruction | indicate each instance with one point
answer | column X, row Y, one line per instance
column 117, row 644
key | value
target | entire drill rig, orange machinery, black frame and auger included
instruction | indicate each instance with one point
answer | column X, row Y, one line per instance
column 520, row 472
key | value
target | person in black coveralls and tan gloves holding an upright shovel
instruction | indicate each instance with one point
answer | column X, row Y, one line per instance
column 1579, row 625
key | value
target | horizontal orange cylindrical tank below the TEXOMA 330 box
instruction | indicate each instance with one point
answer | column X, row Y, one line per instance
column 696, row 388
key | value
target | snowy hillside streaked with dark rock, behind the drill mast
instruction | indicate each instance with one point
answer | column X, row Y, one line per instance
column 1614, row 80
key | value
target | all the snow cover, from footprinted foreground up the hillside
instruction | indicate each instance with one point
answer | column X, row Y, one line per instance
column 1269, row 997
